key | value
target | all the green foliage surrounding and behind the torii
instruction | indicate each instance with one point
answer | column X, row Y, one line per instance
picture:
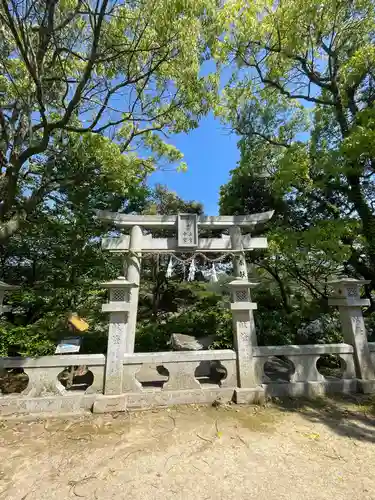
column 84, row 93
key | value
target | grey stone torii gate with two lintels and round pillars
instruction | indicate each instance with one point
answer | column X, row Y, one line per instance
column 187, row 240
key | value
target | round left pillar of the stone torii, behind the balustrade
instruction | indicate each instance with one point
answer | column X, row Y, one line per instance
column 133, row 276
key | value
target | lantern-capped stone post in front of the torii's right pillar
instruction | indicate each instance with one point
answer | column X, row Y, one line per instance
column 244, row 340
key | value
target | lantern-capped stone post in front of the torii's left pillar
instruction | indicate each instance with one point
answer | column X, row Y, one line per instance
column 118, row 309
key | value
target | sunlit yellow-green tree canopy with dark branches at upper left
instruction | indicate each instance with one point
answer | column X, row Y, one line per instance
column 107, row 82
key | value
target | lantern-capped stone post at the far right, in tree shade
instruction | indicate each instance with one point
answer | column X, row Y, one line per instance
column 347, row 298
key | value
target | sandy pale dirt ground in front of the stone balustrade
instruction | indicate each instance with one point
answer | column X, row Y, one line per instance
column 294, row 451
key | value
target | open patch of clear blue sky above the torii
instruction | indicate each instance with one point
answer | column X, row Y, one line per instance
column 210, row 152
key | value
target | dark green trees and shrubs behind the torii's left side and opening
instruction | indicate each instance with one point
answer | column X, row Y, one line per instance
column 60, row 266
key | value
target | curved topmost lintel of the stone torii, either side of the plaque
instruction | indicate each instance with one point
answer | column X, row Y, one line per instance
column 204, row 221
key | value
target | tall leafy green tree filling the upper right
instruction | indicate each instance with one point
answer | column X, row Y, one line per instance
column 301, row 97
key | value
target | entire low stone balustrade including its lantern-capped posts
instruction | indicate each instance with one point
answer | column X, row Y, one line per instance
column 121, row 379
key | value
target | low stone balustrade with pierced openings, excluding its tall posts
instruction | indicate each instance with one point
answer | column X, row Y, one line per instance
column 177, row 378
